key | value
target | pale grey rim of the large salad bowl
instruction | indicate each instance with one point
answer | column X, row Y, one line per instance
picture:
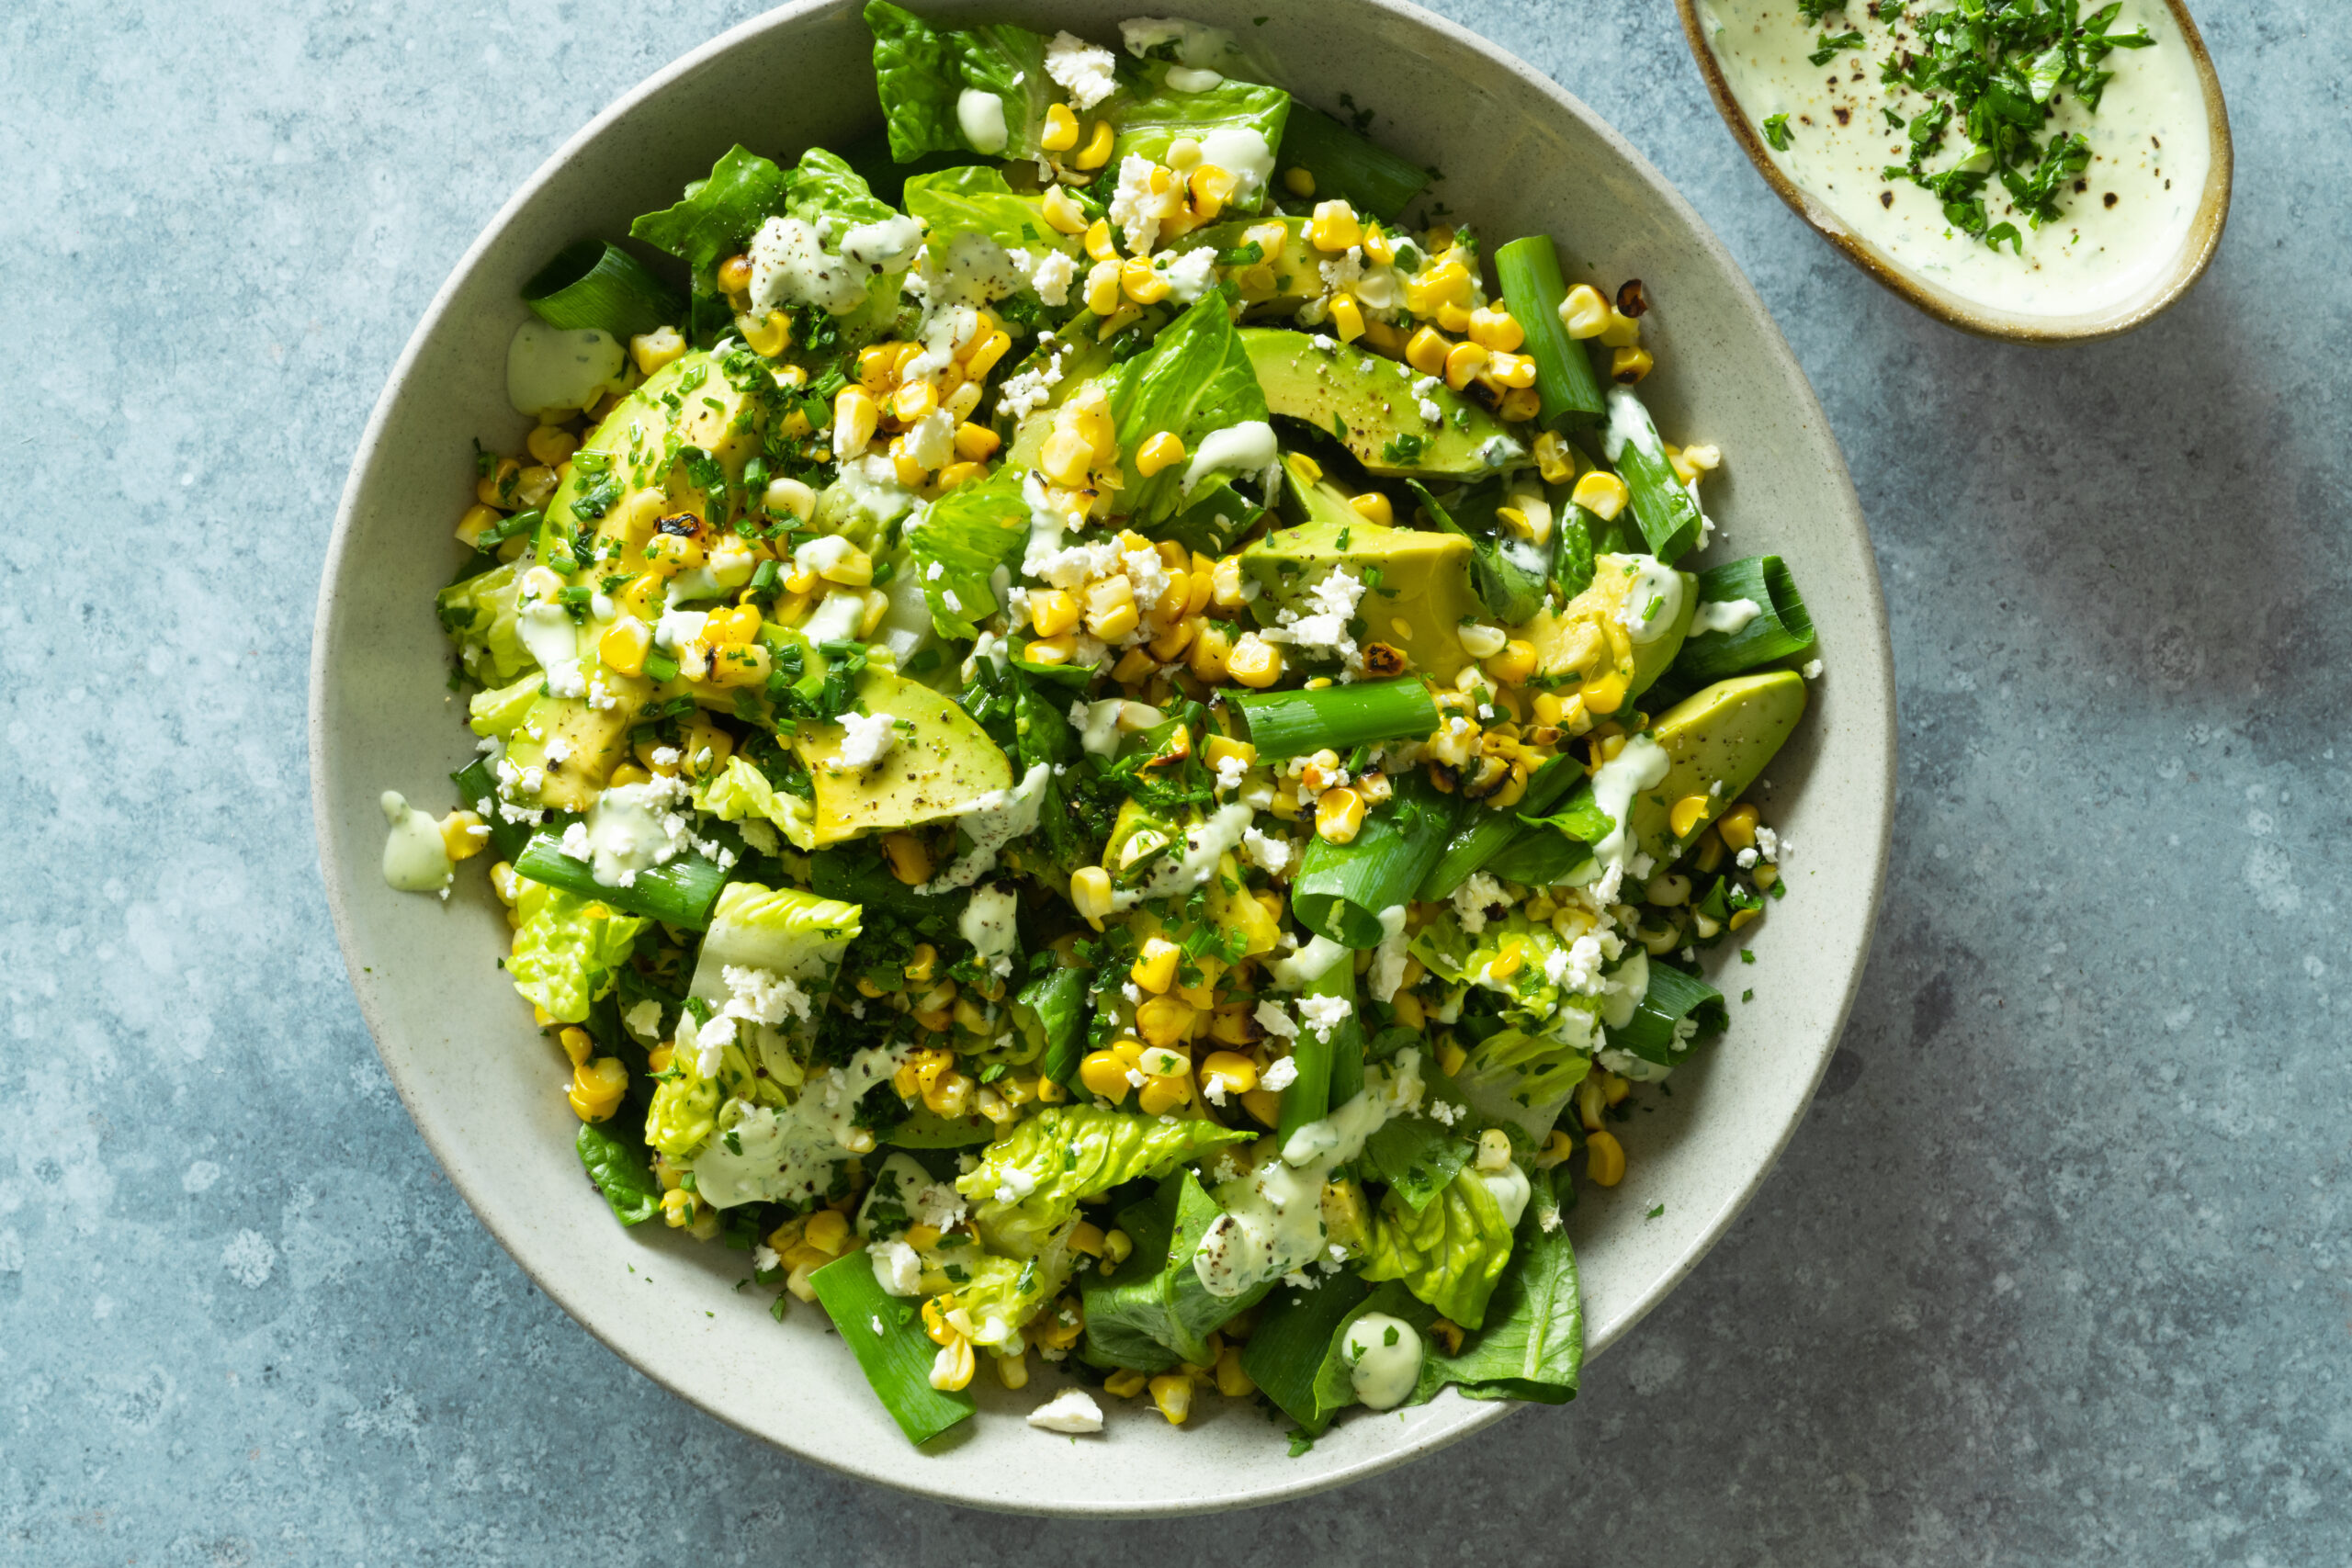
column 1869, row 666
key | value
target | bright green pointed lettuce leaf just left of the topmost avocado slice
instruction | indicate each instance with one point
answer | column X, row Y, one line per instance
column 1194, row 380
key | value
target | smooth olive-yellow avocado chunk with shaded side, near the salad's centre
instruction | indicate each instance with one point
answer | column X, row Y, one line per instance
column 1424, row 582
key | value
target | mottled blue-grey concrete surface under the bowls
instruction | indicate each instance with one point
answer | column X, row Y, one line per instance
column 2054, row 1273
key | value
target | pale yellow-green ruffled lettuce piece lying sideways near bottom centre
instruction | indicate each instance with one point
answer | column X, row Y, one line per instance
column 1031, row 1179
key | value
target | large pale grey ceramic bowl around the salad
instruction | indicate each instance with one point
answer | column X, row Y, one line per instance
column 1521, row 156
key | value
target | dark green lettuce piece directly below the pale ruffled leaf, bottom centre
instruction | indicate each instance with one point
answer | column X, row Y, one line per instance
column 1154, row 1313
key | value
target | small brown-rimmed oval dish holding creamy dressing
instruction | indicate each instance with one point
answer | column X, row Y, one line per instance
column 1805, row 100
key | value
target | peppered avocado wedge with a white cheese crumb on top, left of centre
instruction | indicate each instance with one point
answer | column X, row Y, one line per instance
column 930, row 775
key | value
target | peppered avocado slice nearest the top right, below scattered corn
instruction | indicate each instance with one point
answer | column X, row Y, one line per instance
column 1377, row 413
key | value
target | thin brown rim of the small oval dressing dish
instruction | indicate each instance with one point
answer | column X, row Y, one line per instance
column 2191, row 264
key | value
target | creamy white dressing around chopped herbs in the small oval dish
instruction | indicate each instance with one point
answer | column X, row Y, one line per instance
column 2151, row 154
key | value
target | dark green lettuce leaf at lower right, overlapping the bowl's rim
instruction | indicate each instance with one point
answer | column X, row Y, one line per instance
column 1535, row 1339
